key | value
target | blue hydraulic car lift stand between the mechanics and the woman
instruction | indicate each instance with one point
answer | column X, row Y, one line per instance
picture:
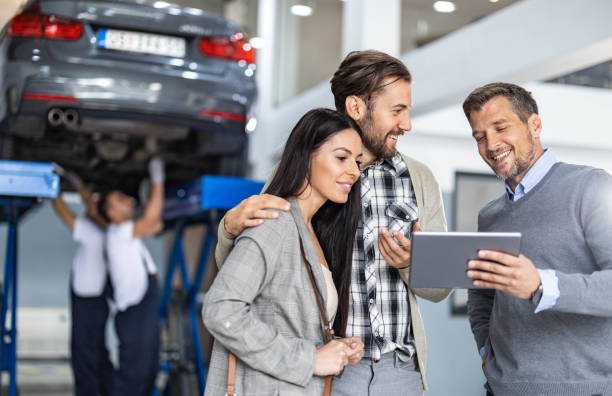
column 202, row 201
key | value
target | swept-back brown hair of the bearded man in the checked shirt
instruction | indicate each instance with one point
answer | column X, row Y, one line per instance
column 362, row 74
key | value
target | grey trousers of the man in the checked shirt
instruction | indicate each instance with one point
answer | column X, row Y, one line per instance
column 389, row 376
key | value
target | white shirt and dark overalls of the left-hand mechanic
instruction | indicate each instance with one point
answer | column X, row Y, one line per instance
column 89, row 292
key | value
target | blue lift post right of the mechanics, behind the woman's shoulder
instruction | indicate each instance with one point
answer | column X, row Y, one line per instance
column 203, row 200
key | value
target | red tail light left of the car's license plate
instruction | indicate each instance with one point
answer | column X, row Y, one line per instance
column 31, row 23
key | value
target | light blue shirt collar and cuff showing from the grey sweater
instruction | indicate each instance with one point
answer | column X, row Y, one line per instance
column 550, row 282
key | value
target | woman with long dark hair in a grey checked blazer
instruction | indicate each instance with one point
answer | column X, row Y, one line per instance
column 287, row 277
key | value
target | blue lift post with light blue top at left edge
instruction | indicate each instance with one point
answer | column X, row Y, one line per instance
column 21, row 184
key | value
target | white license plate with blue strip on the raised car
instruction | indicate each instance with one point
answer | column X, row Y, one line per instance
column 144, row 43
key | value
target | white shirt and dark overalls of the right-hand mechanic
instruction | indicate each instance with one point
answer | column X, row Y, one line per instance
column 134, row 279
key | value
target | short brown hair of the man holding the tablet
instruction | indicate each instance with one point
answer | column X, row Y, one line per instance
column 522, row 102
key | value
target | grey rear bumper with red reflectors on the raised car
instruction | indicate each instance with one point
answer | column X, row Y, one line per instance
column 195, row 99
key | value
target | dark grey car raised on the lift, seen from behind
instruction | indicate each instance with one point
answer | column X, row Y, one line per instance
column 99, row 86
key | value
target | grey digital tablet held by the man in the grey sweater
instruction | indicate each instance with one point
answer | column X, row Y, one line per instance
column 439, row 259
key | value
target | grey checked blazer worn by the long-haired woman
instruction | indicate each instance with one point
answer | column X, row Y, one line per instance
column 262, row 307
